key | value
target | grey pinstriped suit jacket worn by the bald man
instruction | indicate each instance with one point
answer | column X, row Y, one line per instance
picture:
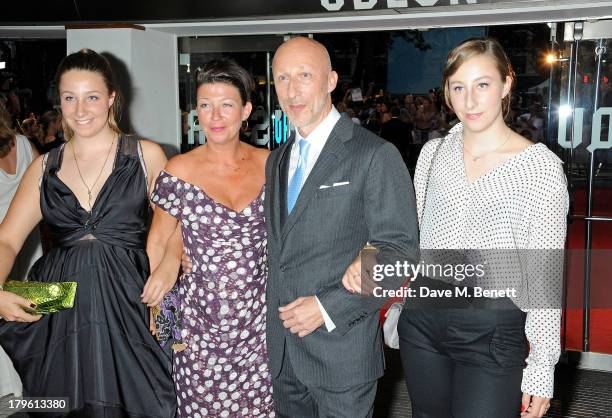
column 309, row 250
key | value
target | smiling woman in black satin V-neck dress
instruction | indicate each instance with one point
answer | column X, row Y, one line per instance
column 92, row 193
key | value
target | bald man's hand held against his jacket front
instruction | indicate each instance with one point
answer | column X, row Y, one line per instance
column 302, row 316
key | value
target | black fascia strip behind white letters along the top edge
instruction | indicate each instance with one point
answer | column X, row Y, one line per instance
column 139, row 11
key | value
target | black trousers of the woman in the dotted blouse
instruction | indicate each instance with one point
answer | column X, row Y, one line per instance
column 465, row 362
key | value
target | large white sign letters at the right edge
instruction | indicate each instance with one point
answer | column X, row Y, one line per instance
column 596, row 128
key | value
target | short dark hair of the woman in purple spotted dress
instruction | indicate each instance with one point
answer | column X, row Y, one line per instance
column 228, row 72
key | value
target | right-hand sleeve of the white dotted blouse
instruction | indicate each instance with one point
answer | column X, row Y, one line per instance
column 547, row 234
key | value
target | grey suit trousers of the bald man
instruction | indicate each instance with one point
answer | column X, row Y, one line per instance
column 293, row 399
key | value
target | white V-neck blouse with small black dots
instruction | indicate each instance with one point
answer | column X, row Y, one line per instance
column 521, row 205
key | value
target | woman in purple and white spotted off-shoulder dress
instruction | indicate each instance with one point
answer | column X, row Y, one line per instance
column 215, row 195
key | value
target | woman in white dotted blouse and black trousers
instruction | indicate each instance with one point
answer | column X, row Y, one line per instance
column 484, row 187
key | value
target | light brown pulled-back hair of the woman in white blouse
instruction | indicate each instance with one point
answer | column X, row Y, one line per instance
column 472, row 48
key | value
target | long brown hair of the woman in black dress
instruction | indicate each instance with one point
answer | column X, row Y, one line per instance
column 89, row 60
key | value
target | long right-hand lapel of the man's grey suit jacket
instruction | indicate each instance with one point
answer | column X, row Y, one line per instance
column 333, row 152
